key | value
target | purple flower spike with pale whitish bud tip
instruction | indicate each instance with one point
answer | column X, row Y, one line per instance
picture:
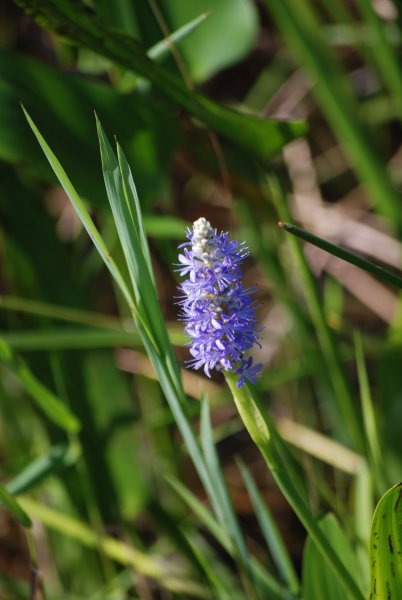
column 218, row 311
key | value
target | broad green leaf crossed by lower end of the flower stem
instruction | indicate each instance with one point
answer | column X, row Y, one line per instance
column 319, row 581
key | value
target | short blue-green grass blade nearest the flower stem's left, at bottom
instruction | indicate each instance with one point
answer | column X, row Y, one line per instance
column 271, row 533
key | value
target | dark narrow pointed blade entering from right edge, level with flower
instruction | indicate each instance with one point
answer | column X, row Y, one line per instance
column 353, row 259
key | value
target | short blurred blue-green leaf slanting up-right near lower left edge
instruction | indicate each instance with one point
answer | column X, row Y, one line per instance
column 59, row 458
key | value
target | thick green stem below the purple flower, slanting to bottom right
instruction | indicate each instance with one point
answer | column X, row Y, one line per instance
column 265, row 436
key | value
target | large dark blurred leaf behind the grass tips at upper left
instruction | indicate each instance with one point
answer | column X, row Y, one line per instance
column 146, row 130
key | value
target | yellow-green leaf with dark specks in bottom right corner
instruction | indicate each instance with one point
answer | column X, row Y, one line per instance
column 386, row 546
